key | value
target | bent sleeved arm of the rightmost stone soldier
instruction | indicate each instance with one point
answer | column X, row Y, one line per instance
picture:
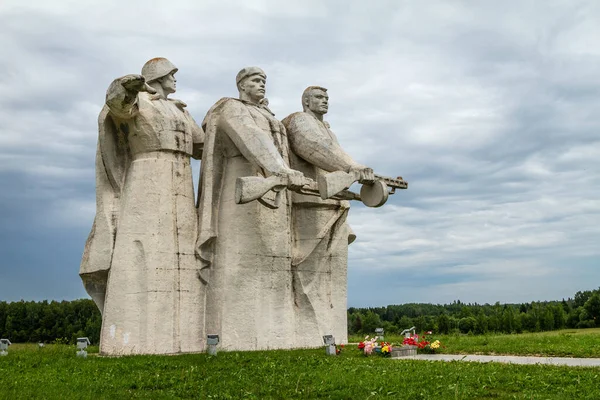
column 309, row 141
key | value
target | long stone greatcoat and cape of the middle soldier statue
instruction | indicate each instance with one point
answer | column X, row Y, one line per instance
column 245, row 248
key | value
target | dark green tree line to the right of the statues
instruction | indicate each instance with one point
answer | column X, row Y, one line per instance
column 582, row 311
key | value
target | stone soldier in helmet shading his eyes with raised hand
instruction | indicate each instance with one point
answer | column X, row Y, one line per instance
column 145, row 228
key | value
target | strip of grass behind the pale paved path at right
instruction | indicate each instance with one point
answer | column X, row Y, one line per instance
column 583, row 343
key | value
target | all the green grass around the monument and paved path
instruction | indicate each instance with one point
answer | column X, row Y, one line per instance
column 55, row 373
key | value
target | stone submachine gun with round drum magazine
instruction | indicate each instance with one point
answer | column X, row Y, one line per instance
column 373, row 195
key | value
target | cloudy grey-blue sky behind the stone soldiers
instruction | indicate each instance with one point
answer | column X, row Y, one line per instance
column 490, row 110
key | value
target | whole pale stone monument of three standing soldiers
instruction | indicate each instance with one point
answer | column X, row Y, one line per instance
column 260, row 261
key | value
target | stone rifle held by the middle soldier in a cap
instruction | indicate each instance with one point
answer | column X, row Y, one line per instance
column 249, row 188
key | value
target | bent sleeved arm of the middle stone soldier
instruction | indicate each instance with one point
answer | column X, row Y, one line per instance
column 254, row 144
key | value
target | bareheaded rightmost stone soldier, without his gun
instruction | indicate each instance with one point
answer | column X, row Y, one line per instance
column 321, row 234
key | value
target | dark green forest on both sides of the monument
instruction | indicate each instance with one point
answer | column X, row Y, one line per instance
column 64, row 321
